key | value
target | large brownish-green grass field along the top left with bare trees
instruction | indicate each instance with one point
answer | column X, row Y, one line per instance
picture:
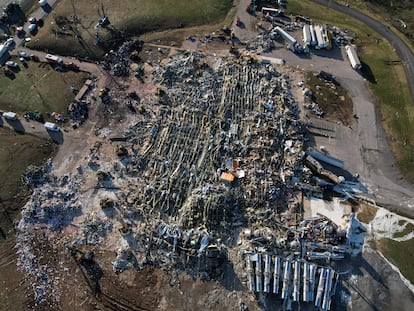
column 128, row 17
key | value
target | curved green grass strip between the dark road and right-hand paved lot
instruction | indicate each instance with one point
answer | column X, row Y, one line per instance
column 388, row 82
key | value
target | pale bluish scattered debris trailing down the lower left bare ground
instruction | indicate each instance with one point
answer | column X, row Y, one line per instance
column 53, row 204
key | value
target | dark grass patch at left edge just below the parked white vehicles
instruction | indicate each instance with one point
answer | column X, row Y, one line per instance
column 18, row 151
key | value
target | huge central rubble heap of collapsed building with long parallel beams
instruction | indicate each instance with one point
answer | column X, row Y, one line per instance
column 224, row 152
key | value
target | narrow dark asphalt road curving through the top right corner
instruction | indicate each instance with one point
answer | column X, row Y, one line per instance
column 402, row 49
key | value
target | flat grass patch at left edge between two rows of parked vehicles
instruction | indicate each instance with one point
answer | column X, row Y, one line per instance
column 40, row 88
